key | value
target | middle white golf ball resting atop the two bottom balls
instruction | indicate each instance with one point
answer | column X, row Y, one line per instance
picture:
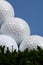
column 16, row 28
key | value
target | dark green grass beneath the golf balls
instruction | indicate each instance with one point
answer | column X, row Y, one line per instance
column 33, row 57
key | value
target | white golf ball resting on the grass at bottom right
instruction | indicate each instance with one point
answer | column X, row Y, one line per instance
column 31, row 43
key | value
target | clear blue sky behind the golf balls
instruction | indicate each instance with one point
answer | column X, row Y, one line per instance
column 32, row 12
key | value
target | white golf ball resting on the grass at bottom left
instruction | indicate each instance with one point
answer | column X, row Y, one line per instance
column 7, row 41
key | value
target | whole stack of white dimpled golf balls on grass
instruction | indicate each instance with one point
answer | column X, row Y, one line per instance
column 15, row 31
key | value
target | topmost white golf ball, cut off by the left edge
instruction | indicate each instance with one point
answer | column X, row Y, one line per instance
column 6, row 10
